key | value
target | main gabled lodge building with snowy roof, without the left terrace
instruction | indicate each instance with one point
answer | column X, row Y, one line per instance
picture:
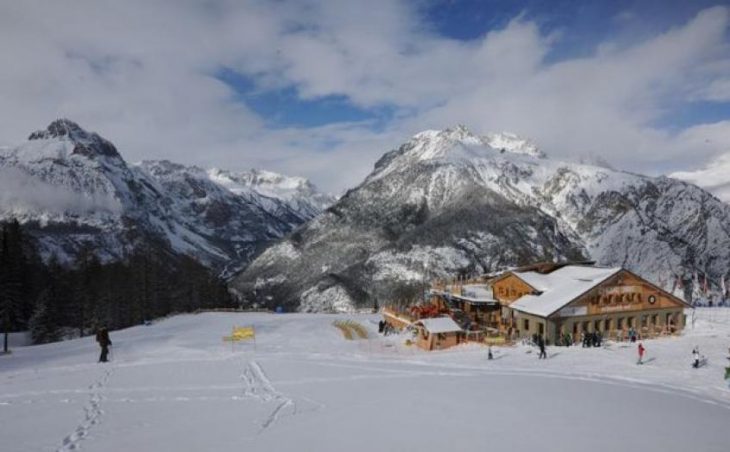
column 576, row 299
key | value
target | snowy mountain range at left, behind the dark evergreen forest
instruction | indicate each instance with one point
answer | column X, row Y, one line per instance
column 73, row 190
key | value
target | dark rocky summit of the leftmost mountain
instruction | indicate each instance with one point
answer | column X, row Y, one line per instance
column 86, row 143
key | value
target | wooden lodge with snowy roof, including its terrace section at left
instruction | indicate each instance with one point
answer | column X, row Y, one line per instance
column 555, row 299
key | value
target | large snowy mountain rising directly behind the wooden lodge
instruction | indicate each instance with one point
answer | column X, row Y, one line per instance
column 451, row 202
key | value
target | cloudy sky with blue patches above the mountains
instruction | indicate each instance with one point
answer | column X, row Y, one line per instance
column 322, row 88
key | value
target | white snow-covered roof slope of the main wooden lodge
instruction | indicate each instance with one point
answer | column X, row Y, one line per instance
column 559, row 287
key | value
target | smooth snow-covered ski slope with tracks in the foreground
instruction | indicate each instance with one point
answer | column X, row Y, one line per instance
column 175, row 385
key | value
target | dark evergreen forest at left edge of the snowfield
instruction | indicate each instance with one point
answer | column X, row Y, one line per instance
column 51, row 299
